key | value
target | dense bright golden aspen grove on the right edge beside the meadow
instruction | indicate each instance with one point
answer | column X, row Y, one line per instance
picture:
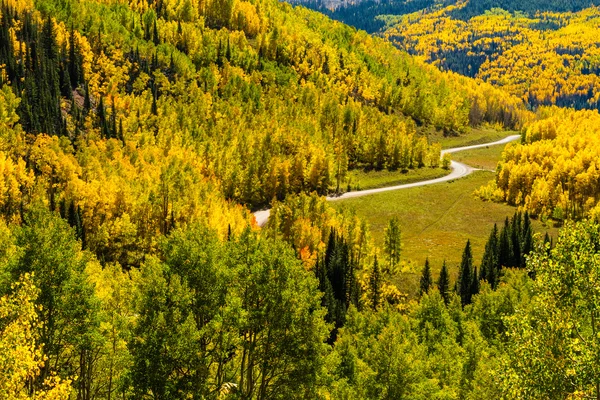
column 554, row 172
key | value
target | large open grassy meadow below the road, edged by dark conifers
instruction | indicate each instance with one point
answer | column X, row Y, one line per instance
column 436, row 222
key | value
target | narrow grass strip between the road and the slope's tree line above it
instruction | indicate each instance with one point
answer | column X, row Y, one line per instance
column 361, row 180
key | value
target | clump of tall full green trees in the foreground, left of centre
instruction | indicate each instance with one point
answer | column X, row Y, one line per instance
column 240, row 314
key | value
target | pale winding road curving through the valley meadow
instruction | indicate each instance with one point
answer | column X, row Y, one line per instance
column 458, row 170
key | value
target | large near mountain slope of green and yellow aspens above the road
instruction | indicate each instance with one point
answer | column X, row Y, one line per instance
column 254, row 100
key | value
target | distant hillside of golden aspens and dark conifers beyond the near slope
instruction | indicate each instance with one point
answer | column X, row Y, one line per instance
column 545, row 58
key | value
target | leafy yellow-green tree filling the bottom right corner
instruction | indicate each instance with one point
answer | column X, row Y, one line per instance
column 553, row 344
